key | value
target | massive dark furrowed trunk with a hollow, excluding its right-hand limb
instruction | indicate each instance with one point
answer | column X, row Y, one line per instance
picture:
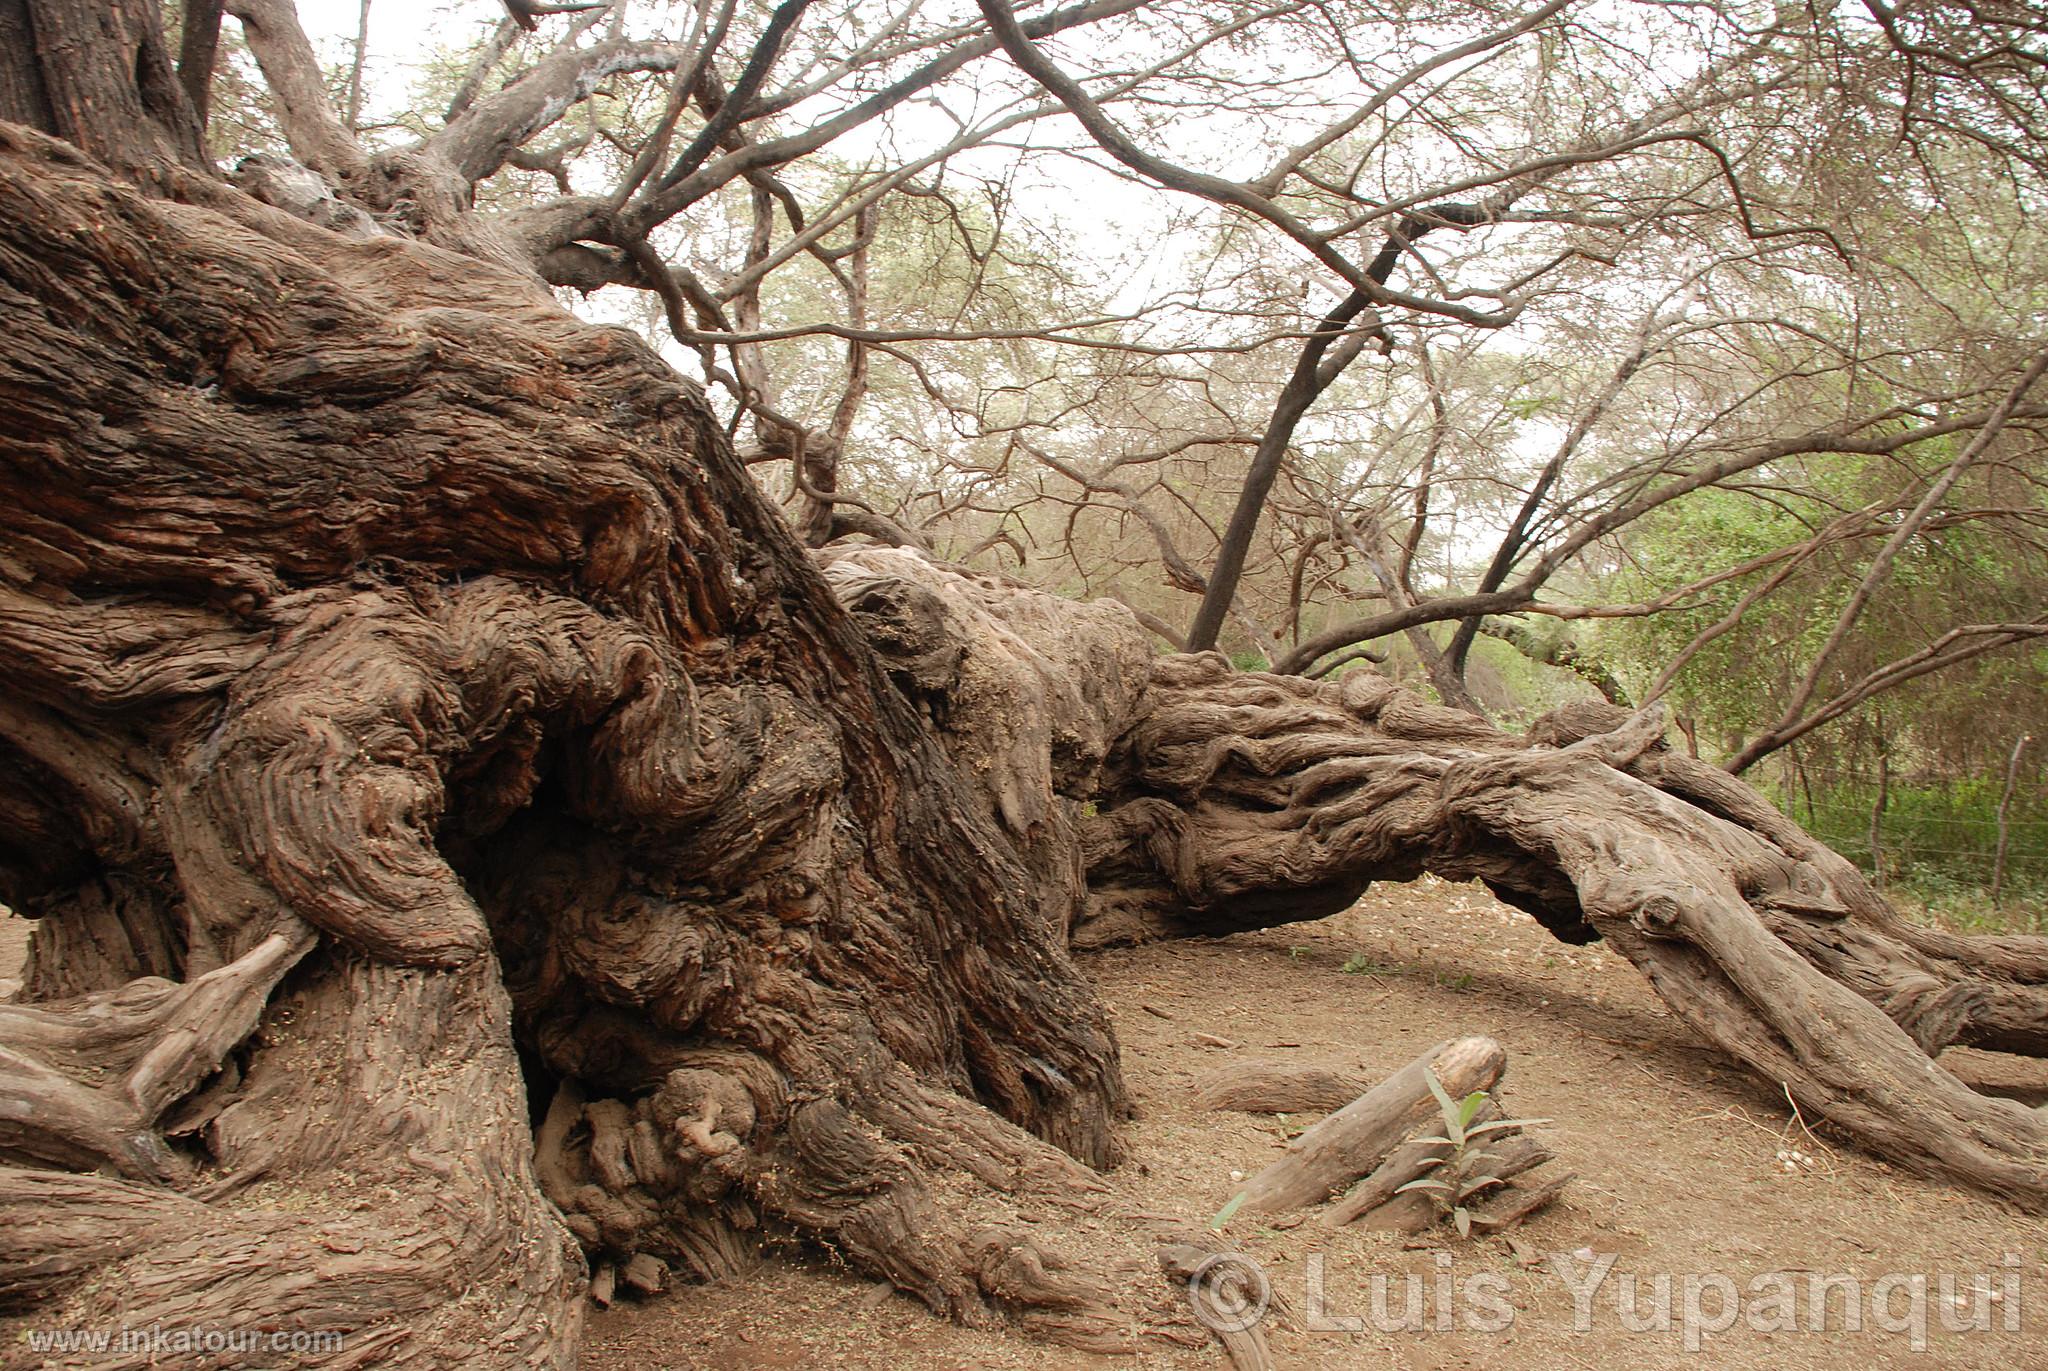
column 409, row 704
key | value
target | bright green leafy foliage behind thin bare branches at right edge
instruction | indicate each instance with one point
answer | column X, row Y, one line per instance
column 1945, row 739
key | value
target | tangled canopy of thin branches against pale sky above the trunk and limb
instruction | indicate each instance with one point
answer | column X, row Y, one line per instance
column 1302, row 327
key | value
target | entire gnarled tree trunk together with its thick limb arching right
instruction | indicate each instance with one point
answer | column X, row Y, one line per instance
column 474, row 845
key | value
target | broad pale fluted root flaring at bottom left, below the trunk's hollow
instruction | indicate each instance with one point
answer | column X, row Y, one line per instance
column 372, row 1179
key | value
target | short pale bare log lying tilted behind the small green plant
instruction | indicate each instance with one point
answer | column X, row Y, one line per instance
column 1357, row 1138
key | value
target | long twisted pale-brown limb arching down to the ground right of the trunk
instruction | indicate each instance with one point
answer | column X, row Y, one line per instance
column 1244, row 800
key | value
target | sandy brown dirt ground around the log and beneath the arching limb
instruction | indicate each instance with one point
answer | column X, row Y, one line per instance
column 1676, row 1159
